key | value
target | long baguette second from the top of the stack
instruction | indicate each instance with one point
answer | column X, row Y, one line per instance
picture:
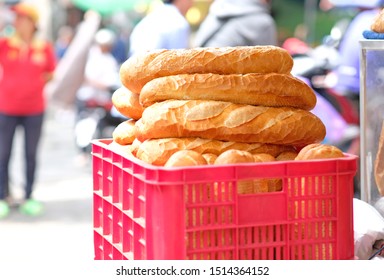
column 270, row 89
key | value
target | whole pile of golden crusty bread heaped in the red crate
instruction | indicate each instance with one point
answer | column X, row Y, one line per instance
column 212, row 100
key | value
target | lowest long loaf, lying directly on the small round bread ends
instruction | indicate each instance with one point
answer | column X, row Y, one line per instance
column 158, row 151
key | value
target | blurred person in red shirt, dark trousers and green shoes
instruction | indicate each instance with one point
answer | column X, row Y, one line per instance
column 26, row 64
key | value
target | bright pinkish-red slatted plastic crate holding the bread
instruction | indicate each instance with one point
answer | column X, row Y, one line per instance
column 144, row 212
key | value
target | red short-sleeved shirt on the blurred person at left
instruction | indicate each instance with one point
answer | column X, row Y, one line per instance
column 23, row 70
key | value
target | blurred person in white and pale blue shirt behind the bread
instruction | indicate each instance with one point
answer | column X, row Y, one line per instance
column 164, row 28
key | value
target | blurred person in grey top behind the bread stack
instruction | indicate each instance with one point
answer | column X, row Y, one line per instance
column 237, row 23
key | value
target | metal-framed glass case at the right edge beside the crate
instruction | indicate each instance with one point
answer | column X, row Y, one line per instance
column 371, row 114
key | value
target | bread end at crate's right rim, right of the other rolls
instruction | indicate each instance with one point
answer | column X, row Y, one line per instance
column 319, row 151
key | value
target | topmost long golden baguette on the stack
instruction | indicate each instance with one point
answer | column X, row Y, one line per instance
column 136, row 71
